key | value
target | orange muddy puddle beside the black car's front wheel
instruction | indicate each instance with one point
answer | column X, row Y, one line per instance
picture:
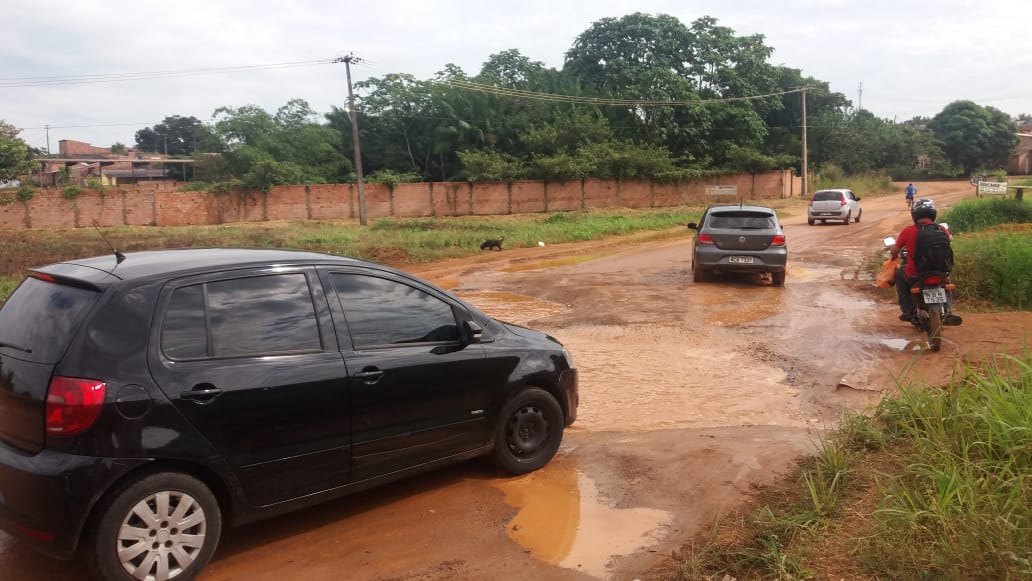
column 563, row 522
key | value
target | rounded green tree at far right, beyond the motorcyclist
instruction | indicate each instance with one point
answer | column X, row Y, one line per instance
column 975, row 137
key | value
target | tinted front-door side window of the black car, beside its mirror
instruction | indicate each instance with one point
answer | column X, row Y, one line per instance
column 383, row 312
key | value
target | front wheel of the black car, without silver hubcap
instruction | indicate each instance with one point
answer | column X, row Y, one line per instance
column 529, row 432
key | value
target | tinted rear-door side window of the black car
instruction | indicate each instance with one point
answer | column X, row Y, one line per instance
column 249, row 317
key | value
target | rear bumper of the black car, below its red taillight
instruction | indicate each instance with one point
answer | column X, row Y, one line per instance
column 46, row 498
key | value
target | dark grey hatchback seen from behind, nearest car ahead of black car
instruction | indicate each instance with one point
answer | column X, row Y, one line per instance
column 739, row 239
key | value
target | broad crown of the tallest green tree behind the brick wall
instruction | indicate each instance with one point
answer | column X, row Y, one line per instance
column 642, row 57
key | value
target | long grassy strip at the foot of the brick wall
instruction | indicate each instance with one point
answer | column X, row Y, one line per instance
column 393, row 242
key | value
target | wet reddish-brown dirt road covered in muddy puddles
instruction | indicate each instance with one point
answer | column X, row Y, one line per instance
column 690, row 395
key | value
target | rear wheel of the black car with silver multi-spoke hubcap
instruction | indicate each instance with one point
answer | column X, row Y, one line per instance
column 167, row 495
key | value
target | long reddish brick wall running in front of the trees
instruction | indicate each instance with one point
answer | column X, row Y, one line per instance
column 159, row 205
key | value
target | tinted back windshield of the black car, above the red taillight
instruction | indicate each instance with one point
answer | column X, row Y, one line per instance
column 39, row 320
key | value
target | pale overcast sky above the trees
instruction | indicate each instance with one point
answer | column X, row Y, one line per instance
column 897, row 59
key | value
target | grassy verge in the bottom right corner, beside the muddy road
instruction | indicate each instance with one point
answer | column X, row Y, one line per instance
column 937, row 485
